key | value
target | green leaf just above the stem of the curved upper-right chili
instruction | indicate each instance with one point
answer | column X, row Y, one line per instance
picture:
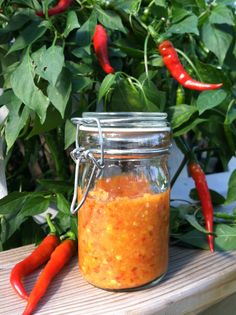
column 188, row 25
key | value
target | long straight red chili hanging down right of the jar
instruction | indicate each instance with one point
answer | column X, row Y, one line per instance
column 205, row 199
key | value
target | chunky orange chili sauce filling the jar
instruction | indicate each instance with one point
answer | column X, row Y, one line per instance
column 123, row 230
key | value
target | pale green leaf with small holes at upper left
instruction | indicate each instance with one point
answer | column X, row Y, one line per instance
column 49, row 63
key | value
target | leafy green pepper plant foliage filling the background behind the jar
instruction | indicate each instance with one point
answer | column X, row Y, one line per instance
column 49, row 73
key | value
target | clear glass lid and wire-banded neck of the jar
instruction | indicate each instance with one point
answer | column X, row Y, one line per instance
column 123, row 134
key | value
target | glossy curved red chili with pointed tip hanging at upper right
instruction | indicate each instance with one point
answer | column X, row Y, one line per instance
column 173, row 64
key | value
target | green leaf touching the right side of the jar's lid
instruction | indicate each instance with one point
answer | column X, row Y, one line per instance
column 180, row 114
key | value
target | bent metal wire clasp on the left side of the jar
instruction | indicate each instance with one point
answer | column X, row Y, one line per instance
column 79, row 154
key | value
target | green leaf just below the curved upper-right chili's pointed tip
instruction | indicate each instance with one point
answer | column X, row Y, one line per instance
column 210, row 99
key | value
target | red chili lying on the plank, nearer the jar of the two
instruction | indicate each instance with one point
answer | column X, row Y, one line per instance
column 61, row 255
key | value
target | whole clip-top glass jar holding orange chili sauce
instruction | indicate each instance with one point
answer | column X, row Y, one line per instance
column 122, row 194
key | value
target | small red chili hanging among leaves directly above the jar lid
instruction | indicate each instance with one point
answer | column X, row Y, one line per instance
column 100, row 40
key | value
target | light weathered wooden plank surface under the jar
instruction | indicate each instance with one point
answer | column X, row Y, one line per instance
column 195, row 280
